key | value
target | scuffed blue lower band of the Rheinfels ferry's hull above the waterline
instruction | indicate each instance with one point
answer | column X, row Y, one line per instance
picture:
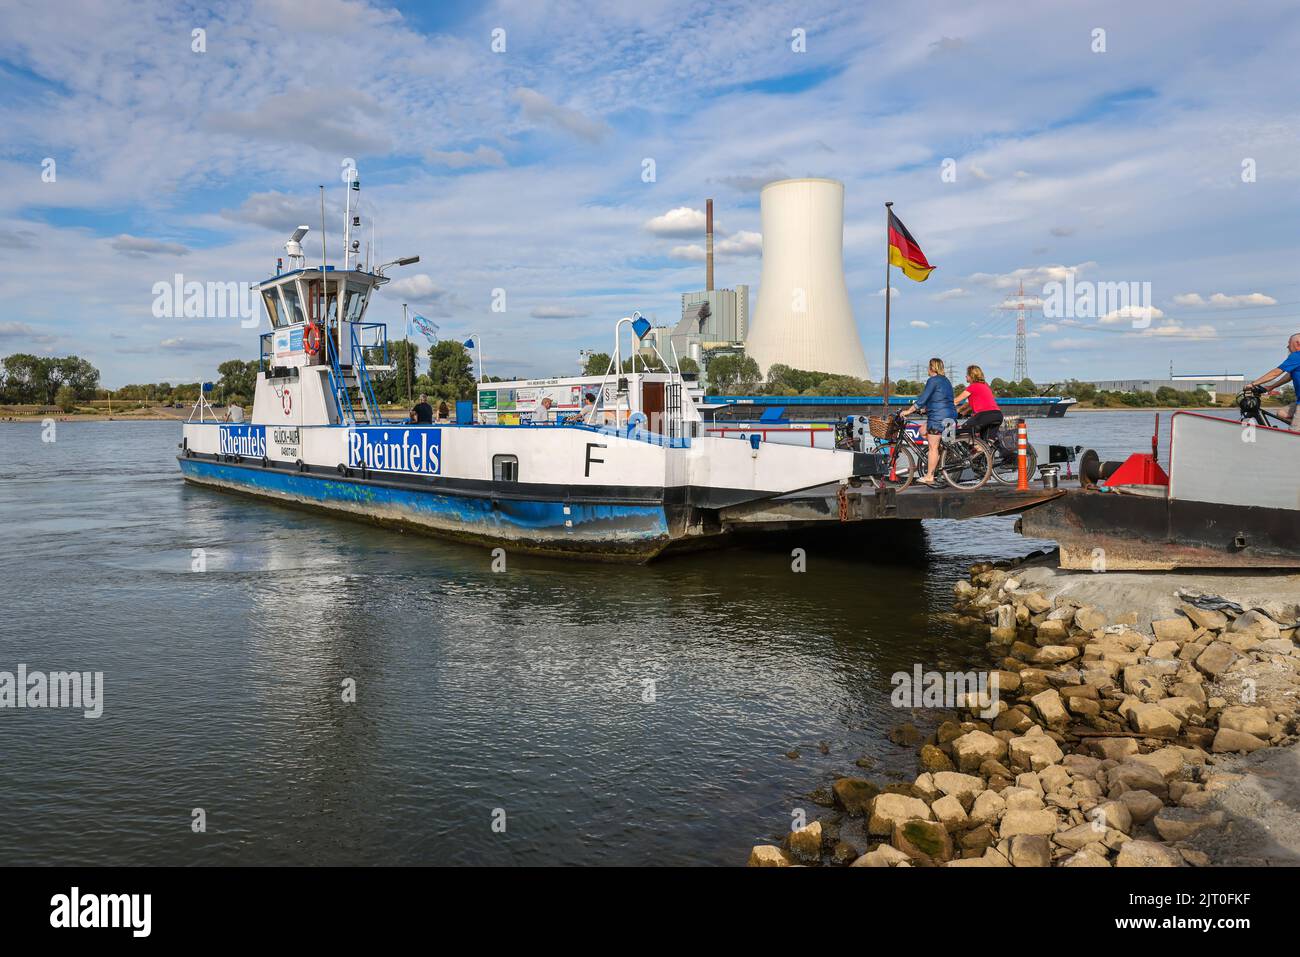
column 616, row 529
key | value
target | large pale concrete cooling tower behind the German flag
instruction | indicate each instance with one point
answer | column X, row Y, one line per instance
column 804, row 319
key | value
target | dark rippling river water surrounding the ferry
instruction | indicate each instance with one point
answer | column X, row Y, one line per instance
column 554, row 713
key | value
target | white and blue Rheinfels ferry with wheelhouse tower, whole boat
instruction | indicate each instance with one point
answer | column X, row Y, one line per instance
column 631, row 477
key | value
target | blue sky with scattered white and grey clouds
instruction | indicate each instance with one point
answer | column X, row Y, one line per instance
column 509, row 144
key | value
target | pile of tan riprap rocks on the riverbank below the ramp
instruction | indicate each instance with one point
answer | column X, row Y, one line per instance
column 1103, row 750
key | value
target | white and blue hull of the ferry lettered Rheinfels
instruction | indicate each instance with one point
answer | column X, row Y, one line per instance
column 597, row 493
